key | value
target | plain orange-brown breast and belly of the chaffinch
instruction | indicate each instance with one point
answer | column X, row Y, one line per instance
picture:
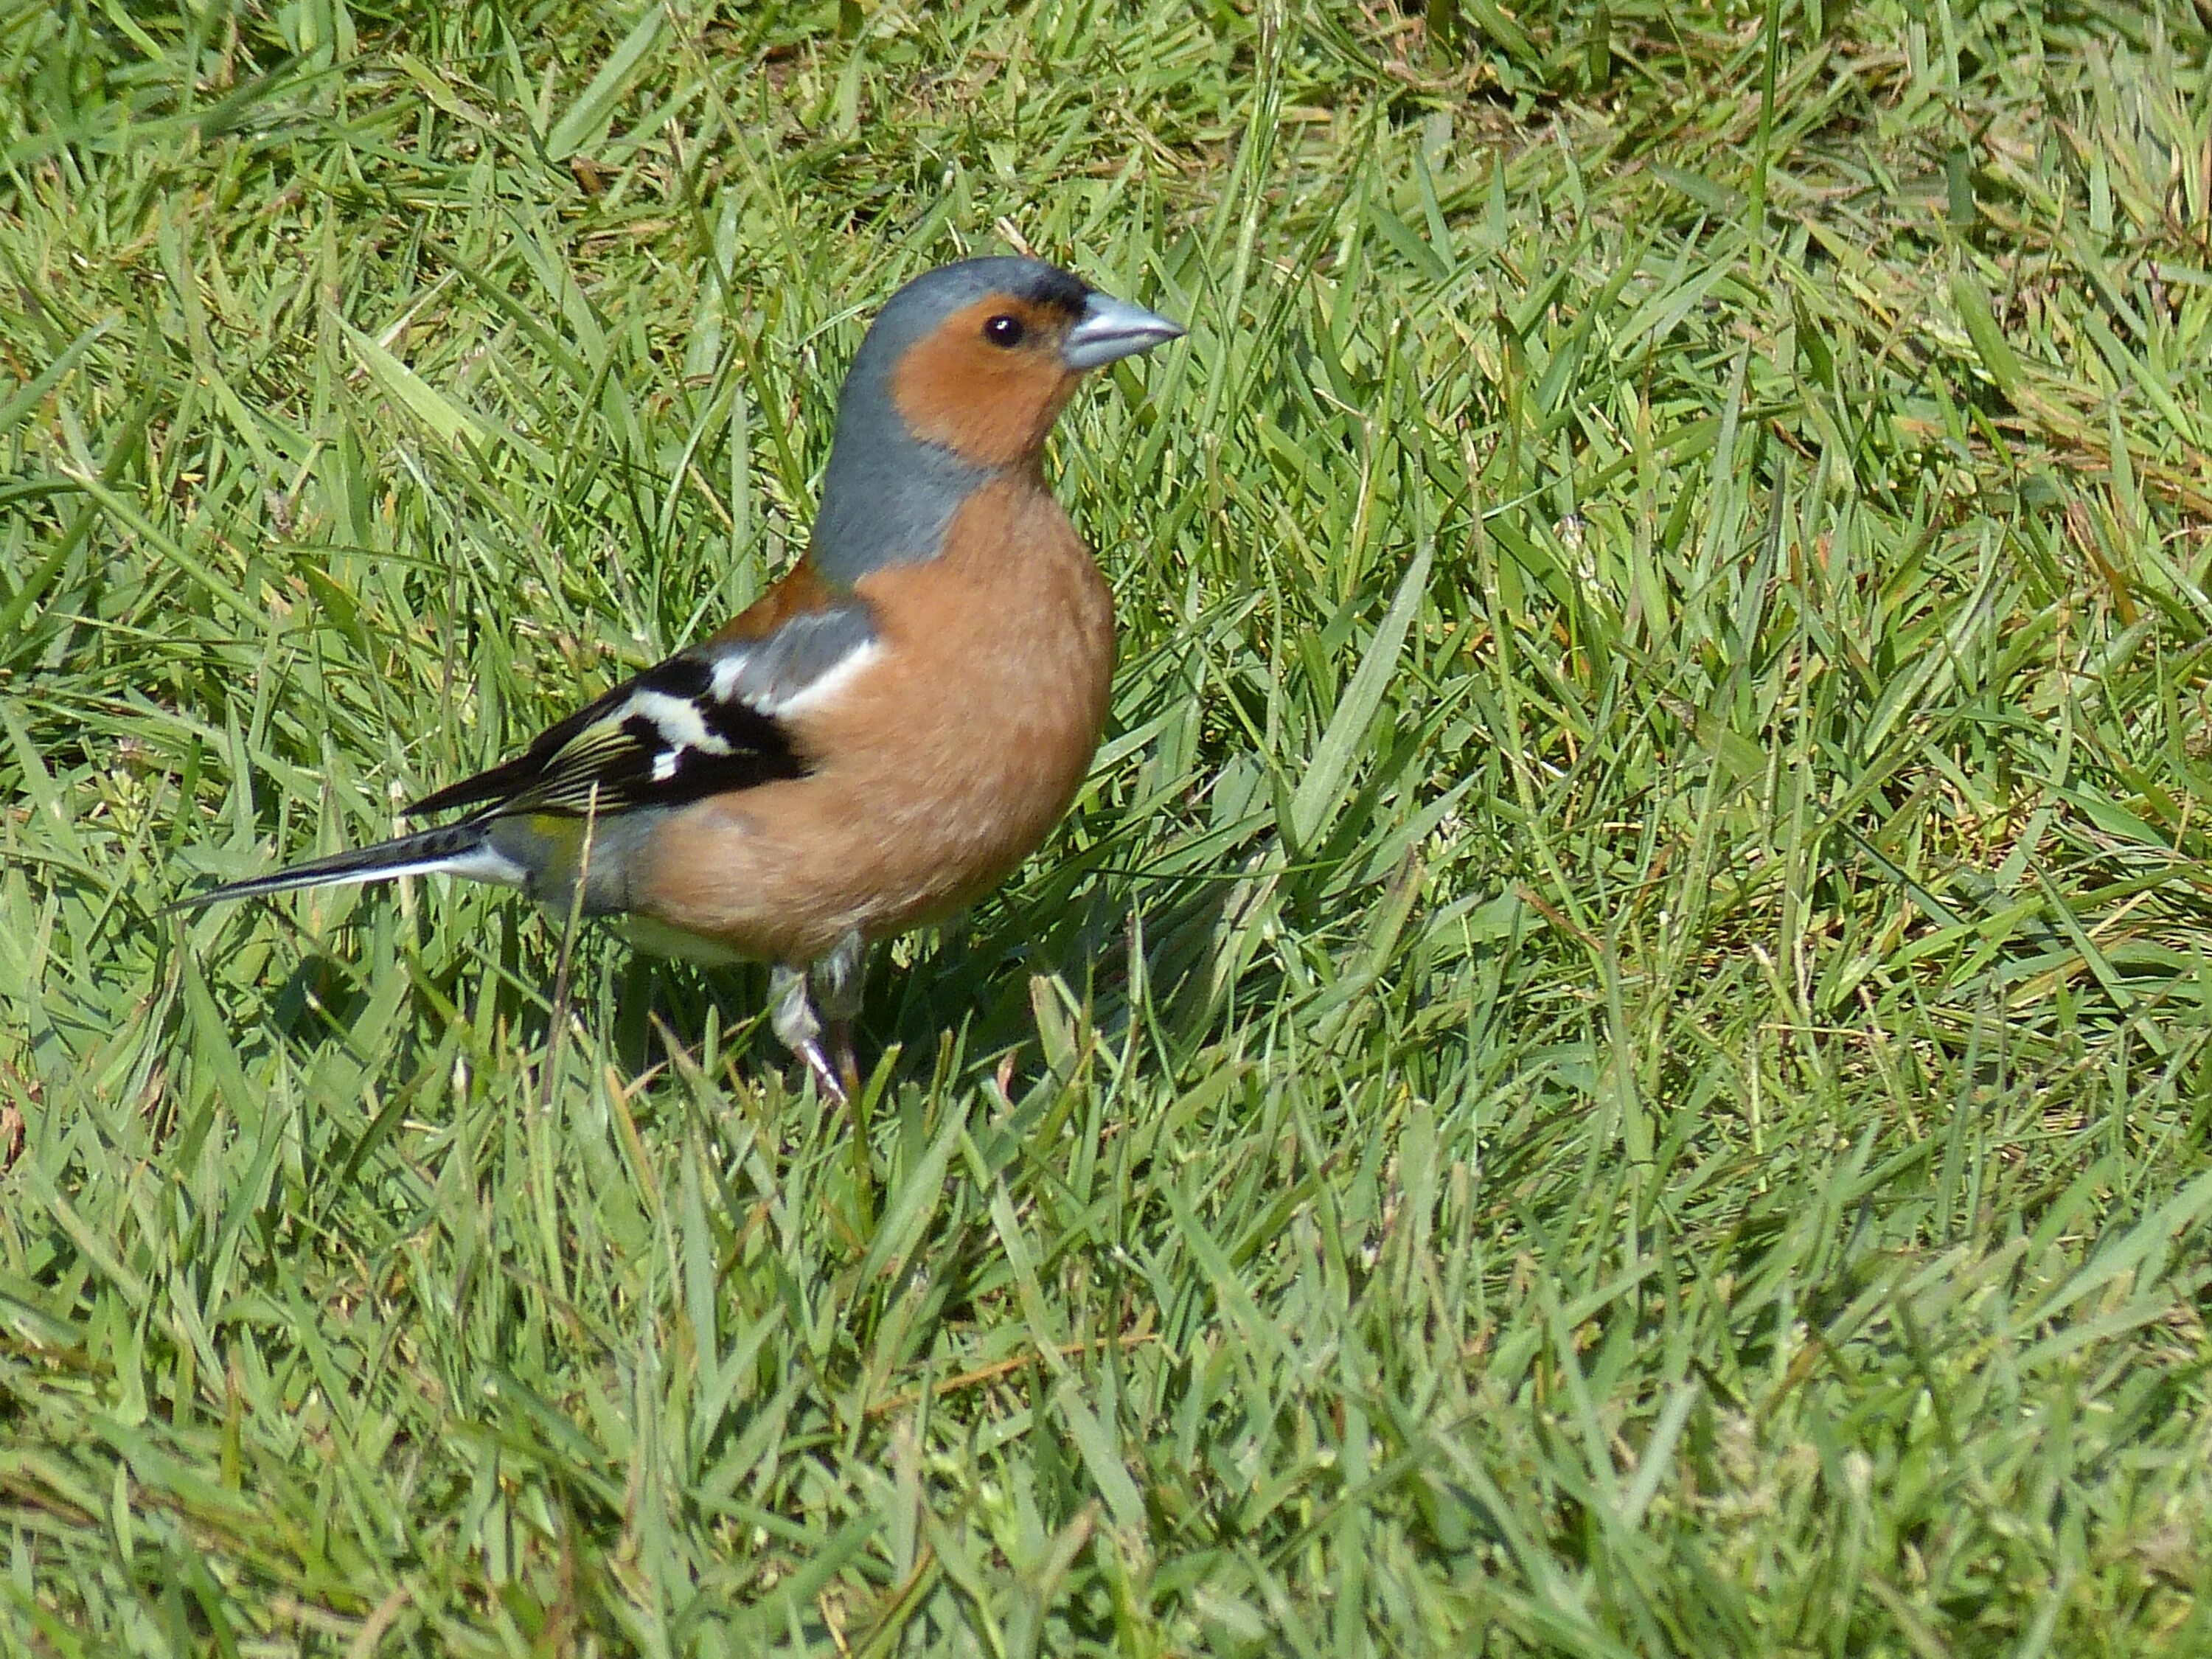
column 939, row 769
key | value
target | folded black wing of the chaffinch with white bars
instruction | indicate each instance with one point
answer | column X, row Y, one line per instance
column 705, row 722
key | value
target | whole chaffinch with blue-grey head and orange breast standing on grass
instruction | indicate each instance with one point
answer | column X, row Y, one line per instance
column 886, row 733
